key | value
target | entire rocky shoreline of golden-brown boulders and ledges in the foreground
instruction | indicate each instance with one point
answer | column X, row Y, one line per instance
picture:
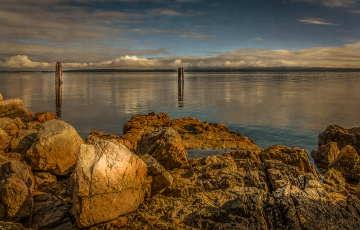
column 50, row 178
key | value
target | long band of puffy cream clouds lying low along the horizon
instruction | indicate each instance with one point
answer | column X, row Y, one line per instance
column 346, row 56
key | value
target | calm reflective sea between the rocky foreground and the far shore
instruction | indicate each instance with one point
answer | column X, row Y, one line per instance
column 286, row 108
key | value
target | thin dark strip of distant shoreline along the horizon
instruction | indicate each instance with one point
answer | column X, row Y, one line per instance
column 265, row 69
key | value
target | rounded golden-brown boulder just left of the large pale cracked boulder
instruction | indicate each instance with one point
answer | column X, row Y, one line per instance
column 55, row 148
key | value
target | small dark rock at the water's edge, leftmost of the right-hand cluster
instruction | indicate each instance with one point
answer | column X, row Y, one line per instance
column 326, row 154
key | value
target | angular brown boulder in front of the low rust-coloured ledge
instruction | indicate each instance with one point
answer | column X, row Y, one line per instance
column 166, row 146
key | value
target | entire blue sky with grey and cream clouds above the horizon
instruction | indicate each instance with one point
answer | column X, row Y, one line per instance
column 161, row 34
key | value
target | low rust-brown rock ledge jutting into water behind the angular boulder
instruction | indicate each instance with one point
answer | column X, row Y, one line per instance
column 195, row 134
